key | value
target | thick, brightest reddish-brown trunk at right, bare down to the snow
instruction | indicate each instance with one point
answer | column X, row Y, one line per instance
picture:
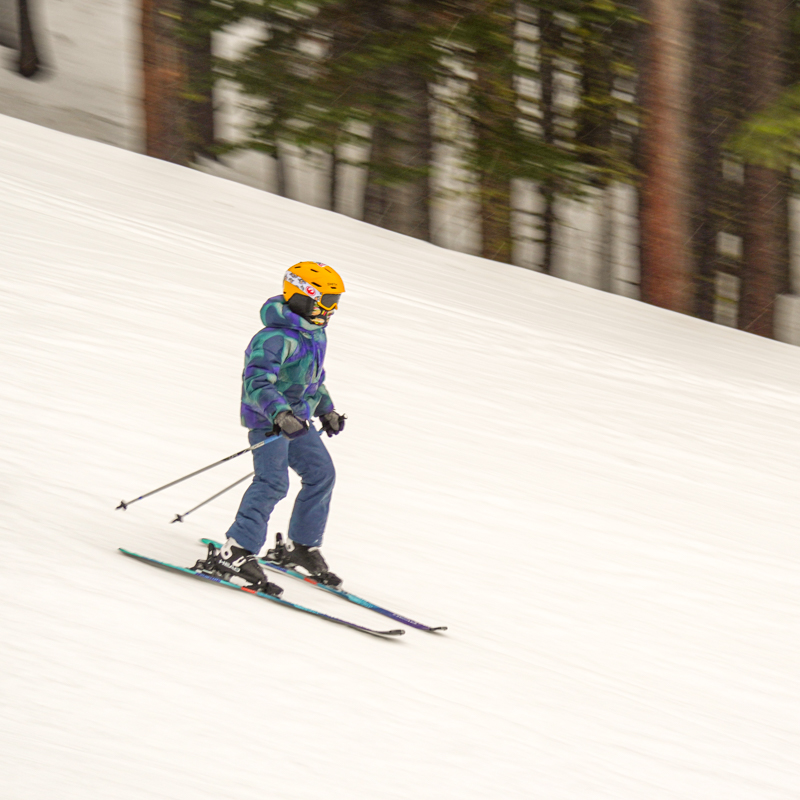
column 664, row 206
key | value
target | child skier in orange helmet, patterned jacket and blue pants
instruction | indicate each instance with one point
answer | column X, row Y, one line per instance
column 283, row 389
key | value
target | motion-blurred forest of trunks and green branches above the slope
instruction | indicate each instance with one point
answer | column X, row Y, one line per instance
column 676, row 120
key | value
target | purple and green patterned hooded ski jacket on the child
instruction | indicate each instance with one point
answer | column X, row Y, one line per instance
column 283, row 368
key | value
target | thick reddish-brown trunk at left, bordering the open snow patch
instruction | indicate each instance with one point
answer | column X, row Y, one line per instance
column 164, row 62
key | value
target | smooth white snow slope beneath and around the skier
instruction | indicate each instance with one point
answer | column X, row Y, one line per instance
column 598, row 497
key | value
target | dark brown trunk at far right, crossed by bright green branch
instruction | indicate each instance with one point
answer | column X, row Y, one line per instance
column 761, row 269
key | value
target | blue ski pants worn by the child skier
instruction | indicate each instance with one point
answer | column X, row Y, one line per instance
column 309, row 458
